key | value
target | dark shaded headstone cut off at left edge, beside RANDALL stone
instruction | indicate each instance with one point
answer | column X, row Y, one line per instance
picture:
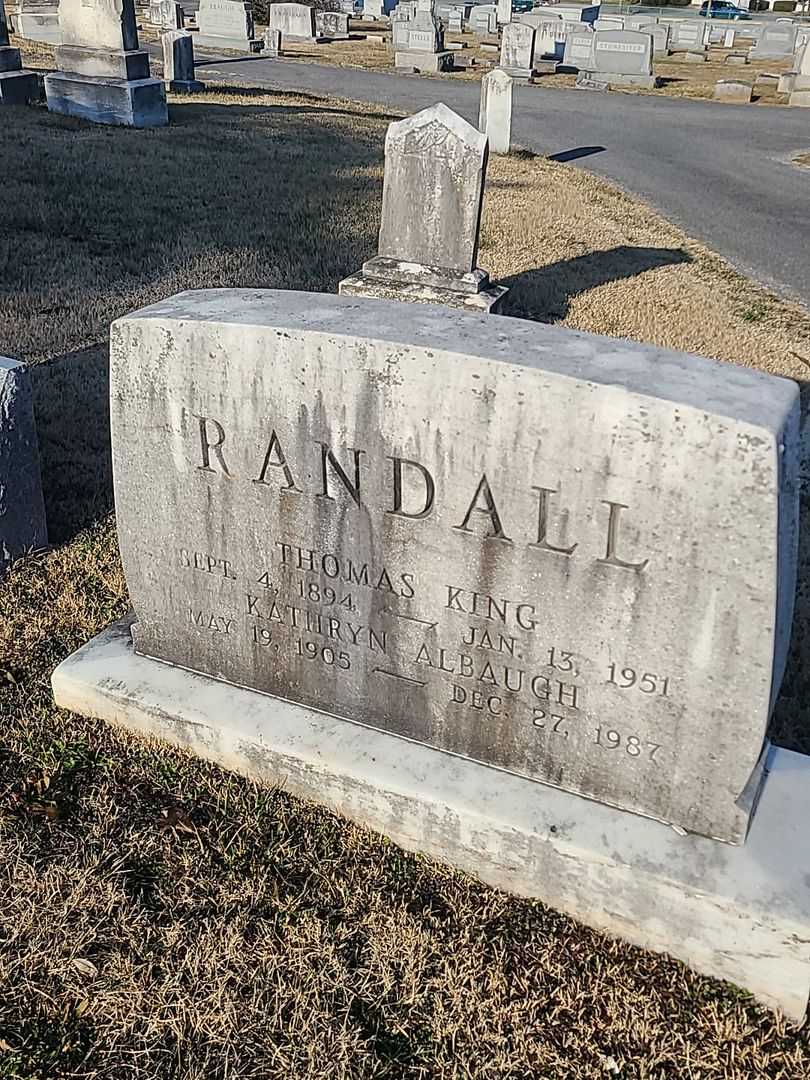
column 22, row 509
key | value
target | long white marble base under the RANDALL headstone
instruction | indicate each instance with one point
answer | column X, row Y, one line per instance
column 740, row 914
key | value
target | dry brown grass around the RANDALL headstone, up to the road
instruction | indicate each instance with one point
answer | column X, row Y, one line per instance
column 163, row 919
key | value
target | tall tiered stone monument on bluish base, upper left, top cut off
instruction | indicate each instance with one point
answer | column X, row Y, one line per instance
column 103, row 76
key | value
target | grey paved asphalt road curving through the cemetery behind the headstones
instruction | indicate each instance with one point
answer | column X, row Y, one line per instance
column 722, row 172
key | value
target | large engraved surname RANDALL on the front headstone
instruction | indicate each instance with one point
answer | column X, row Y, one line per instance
column 480, row 515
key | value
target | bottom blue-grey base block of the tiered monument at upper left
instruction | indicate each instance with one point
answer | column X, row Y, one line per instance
column 139, row 104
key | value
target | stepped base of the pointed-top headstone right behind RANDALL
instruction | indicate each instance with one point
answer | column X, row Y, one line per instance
column 386, row 279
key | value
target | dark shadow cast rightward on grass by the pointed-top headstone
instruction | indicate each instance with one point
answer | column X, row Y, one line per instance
column 545, row 294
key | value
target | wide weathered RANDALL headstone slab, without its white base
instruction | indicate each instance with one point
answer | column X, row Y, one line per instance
column 388, row 514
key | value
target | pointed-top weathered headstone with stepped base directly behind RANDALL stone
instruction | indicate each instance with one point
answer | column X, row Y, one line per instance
column 433, row 196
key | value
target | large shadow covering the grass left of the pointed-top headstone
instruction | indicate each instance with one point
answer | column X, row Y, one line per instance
column 98, row 222
